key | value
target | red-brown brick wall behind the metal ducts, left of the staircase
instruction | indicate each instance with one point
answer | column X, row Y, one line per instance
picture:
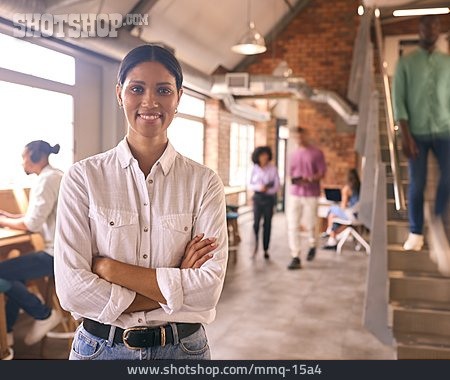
column 318, row 46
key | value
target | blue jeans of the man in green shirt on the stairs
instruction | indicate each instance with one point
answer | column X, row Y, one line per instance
column 418, row 178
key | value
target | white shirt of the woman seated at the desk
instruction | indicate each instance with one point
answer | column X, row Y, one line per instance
column 41, row 211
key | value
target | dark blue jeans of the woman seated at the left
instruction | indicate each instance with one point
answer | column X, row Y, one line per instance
column 18, row 271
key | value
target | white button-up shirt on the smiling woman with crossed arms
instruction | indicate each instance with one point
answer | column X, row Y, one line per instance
column 108, row 208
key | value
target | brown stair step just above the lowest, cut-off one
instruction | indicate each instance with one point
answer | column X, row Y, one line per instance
column 422, row 326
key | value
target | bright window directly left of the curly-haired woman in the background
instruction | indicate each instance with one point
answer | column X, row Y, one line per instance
column 242, row 144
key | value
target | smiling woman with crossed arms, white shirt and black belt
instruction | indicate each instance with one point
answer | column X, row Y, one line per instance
column 130, row 258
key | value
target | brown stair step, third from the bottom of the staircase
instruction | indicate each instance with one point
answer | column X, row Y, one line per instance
column 407, row 288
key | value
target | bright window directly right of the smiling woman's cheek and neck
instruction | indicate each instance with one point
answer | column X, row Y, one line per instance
column 186, row 133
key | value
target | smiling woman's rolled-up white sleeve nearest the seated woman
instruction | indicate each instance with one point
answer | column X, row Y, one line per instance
column 79, row 290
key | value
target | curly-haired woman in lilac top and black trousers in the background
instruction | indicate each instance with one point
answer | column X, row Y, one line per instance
column 265, row 182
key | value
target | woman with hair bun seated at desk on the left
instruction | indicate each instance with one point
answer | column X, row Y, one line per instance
column 39, row 217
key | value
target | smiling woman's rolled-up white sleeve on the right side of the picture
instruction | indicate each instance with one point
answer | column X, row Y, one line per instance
column 199, row 289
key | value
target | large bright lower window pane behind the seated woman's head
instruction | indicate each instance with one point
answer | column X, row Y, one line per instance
column 33, row 114
